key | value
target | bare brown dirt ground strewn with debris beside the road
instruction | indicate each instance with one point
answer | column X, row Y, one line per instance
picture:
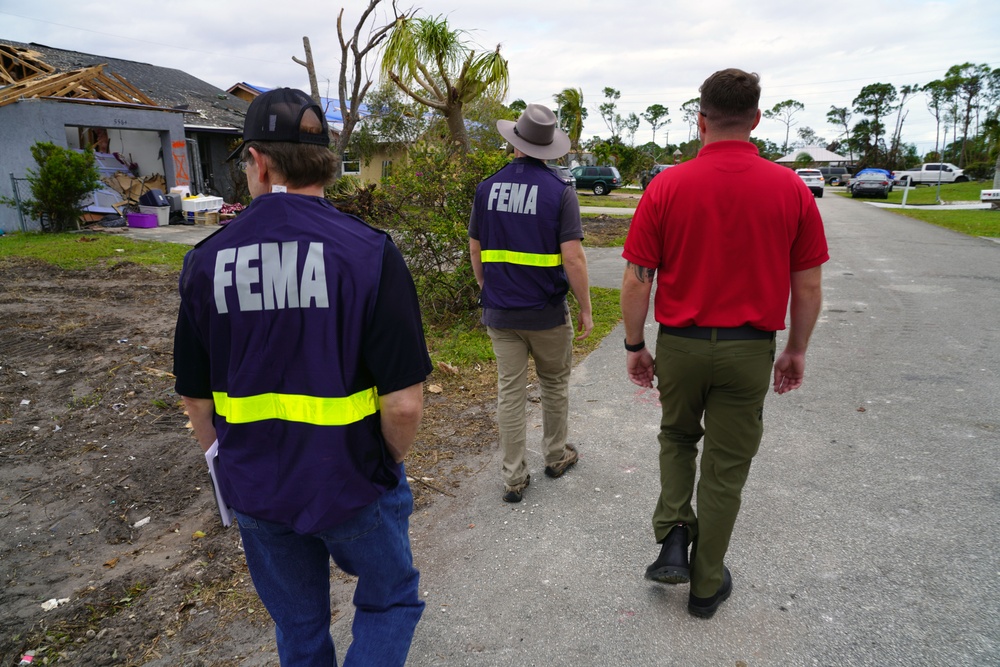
column 111, row 550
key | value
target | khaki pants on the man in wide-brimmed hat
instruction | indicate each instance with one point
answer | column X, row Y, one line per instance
column 552, row 350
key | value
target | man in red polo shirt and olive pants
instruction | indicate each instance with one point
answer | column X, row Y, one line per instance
column 728, row 237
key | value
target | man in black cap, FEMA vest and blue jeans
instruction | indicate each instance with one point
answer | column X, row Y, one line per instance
column 299, row 350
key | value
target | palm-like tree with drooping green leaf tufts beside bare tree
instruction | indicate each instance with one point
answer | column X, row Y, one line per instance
column 433, row 64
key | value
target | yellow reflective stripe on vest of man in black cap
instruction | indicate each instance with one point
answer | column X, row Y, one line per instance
column 297, row 408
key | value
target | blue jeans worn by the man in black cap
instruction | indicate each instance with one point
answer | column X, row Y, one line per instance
column 291, row 573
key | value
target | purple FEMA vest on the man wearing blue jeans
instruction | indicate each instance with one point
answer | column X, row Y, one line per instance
column 281, row 298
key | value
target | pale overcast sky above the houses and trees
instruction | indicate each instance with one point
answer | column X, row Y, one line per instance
column 819, row 53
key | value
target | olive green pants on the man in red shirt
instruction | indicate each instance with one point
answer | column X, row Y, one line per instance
column 724, row 382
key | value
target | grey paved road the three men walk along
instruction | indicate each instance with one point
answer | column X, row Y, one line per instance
column 868, row 533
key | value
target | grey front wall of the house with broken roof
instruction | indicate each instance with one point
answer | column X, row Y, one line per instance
column 26, row 122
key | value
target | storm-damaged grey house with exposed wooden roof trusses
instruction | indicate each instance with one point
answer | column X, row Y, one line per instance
column 157, row 120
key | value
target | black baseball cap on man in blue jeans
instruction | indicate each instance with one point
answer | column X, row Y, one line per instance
column 276, row 116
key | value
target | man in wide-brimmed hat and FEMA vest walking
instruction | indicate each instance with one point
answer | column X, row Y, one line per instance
column 524, row 238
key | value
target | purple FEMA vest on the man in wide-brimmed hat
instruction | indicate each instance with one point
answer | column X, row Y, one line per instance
column 518, row 213
